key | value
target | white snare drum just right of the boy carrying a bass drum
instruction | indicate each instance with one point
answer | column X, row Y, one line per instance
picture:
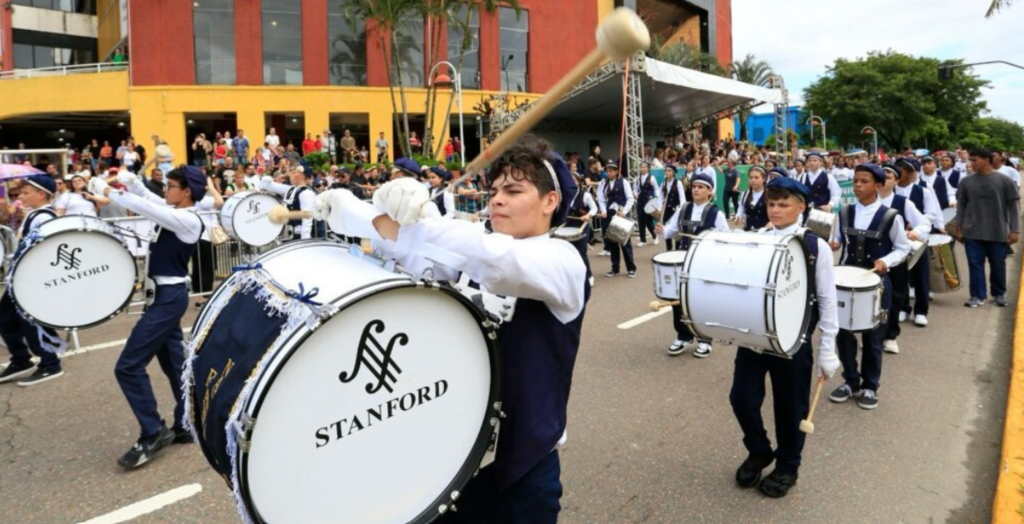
column 859, row 295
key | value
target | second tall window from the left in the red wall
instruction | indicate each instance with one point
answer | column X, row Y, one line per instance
column 283, row 42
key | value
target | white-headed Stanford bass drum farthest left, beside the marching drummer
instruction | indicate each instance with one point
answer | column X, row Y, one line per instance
column 77, row 274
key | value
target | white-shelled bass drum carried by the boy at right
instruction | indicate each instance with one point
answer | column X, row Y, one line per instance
column 748, row 289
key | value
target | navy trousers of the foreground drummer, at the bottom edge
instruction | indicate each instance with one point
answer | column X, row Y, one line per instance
column 533, row 500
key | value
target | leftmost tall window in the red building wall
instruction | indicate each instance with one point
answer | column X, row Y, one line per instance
column 214, row 28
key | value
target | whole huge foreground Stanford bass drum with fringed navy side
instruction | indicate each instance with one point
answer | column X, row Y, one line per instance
column 336, row 405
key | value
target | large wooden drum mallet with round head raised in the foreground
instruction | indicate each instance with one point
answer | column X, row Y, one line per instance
column 621, row 35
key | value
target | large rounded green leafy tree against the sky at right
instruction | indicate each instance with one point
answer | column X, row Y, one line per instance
column 899, row 96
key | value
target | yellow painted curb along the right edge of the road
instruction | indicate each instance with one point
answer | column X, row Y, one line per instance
column 1008, row 507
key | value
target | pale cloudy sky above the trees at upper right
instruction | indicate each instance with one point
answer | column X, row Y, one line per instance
column 800, row 38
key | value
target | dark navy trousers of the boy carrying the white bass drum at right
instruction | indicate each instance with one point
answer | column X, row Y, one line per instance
column 791, row 386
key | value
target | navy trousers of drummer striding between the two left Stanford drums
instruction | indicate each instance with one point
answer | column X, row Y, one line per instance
column 158, row 334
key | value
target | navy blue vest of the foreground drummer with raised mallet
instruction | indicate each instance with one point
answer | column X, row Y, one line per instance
column 538, row 357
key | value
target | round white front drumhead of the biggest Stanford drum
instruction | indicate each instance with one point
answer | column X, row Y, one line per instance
column 408, row 446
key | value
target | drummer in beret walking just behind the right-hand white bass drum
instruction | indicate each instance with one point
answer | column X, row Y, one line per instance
column 693, row 219
